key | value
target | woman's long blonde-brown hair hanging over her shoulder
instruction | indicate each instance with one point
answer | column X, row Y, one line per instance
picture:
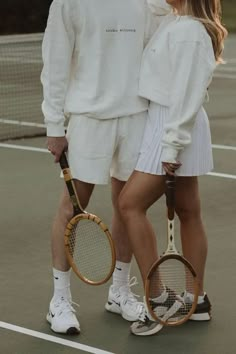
column 209, row 13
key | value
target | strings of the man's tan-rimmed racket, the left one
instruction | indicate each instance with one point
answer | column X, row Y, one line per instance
column 90, row 249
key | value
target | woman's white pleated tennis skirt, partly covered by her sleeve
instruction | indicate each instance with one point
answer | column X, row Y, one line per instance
column 196, row 158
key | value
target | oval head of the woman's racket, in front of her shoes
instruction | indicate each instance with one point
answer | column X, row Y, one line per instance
column 176, row 275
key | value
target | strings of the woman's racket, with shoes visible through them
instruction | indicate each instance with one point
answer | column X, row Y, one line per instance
column 167, row 286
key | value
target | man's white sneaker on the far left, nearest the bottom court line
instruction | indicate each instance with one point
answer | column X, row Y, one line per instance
column 62, row 317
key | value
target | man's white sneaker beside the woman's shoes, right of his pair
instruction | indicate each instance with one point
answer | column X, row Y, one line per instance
column 123, row 302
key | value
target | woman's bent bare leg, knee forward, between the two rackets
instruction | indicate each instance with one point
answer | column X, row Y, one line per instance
column 139, row 193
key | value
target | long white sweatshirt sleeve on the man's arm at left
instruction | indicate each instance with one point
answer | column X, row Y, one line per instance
column 57, row 49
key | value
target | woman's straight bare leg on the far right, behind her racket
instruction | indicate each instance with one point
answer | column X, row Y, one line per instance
column 194, row 242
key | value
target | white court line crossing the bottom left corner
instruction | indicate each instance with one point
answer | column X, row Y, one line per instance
column 53, row 339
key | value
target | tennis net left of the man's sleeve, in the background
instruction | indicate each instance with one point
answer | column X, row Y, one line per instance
column 20, row 87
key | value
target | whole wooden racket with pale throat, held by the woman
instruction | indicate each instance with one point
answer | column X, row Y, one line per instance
column 170, row 276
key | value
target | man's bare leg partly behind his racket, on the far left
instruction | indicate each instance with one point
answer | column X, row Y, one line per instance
column 64, row 214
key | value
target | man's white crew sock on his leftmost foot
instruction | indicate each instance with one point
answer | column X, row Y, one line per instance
column 61, row 284
